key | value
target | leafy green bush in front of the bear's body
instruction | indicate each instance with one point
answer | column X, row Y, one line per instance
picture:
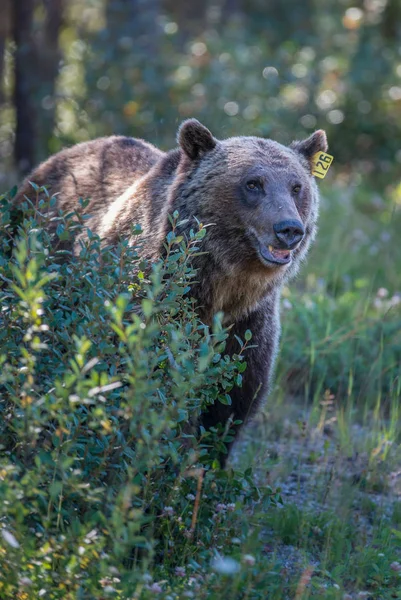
column 105, row 369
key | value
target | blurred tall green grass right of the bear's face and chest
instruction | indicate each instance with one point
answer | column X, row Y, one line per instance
column 342, row 322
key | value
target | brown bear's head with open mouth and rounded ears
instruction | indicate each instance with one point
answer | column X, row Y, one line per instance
column 258, row 198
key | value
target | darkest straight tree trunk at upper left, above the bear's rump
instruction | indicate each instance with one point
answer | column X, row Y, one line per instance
column 24, row 149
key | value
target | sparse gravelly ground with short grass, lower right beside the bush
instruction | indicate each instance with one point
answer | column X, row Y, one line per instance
column 339, row 527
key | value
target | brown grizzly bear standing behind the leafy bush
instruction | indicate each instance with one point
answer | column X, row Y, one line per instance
column 258, row 196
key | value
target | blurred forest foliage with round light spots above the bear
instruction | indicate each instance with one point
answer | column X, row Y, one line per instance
column 241, row 66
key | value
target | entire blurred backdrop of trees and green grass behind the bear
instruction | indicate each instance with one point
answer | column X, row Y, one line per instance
column 72, row 70
